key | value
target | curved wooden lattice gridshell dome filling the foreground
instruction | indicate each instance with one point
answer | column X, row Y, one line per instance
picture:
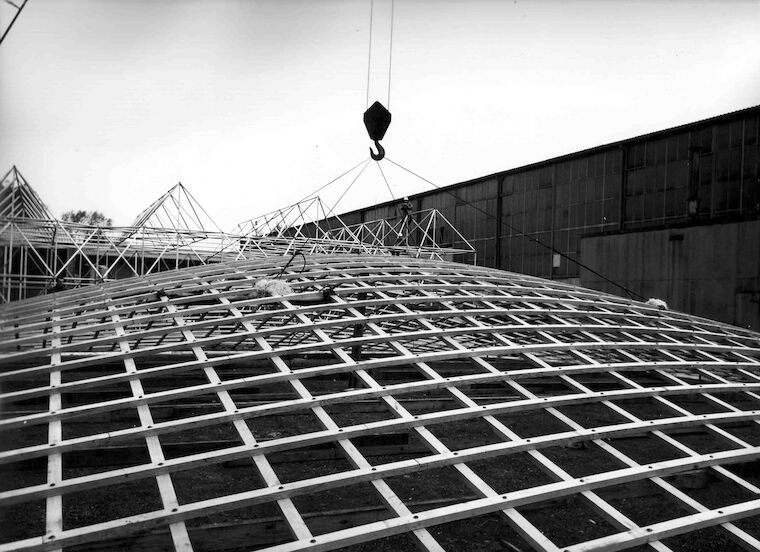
column 387, row 403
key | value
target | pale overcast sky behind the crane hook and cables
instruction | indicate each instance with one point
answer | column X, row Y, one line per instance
column 105, row 104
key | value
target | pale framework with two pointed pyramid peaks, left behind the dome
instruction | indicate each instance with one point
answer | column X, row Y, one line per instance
column 40, row 253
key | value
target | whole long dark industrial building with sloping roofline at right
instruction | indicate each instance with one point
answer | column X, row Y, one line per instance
column 674, row 214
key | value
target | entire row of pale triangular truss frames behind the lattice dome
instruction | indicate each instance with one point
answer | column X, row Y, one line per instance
column 40, row 252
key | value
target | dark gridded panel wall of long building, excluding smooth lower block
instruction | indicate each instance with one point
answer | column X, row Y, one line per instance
column 638, row 184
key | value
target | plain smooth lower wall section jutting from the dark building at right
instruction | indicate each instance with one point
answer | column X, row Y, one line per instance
column 711, row 270
